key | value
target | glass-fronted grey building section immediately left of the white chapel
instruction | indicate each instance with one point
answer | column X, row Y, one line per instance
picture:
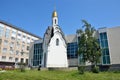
column 36, row 53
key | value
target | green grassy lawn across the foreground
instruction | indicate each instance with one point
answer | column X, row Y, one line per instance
column 57, row 75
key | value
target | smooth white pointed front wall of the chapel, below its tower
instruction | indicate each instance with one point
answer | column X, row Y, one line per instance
column 57, row 54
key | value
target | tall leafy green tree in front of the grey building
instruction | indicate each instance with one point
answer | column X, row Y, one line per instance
column 88, row 45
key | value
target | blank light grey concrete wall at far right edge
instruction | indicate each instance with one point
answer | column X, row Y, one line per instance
column 114, row 44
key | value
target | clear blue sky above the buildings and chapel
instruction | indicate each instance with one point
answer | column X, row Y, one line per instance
column 36, row 15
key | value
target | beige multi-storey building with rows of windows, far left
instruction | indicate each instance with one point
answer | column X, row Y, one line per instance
column 14, row 44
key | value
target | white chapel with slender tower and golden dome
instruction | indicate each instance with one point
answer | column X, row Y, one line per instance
column 56, row 48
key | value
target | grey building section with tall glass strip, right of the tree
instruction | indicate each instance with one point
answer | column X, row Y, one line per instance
column 109, row 43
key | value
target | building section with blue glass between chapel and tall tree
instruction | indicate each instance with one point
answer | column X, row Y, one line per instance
column 72, row 47
